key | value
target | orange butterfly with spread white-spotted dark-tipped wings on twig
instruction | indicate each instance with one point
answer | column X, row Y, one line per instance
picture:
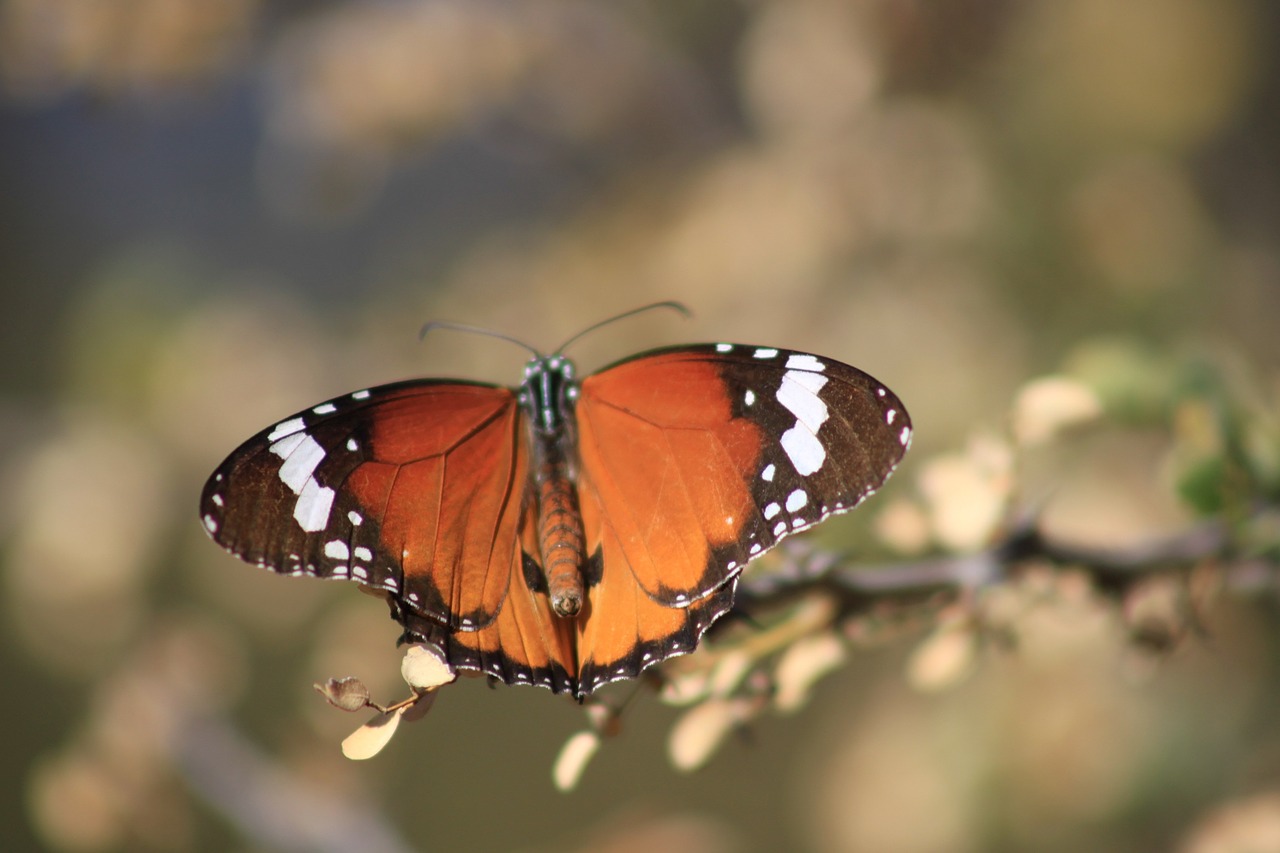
column 566, row 532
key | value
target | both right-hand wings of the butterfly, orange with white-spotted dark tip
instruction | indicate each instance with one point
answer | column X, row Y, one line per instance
column 694, row 462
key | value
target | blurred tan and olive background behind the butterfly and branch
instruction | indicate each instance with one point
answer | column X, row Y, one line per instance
column 216, row 215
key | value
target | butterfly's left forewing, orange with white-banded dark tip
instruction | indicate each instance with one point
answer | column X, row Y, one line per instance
column 414, row 490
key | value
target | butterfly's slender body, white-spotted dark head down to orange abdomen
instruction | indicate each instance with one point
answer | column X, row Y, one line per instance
column 547, row 396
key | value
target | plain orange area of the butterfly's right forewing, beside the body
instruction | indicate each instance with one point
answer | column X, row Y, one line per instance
column 662, row 463
